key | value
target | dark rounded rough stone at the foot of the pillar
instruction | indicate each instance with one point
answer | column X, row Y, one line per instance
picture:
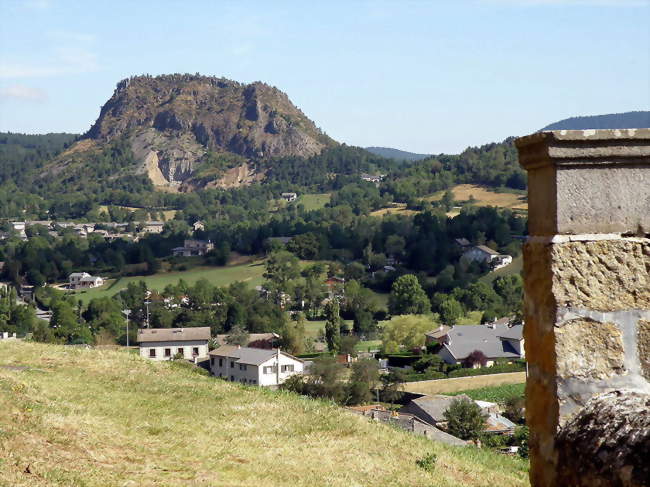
column 607, row 444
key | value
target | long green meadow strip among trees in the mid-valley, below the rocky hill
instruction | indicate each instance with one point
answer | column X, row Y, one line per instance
column 250, row 273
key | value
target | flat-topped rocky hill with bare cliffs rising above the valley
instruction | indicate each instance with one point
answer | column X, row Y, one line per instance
column 180, row 125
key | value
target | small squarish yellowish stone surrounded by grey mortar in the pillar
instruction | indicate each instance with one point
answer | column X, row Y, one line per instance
column 588, row 350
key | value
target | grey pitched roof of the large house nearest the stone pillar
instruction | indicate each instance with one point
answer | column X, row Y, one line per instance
column 464, row 339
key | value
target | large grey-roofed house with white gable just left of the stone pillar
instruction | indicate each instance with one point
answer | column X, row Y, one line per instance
column 497, row 340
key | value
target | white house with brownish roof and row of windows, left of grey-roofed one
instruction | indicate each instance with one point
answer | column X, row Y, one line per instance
column 166, row 343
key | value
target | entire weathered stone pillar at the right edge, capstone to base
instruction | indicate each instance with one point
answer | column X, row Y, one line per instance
column 587, row 306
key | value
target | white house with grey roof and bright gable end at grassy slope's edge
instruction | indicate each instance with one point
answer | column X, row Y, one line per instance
column 254, row 366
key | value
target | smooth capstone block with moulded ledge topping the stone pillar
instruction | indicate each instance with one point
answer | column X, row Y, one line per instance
column 612, row 196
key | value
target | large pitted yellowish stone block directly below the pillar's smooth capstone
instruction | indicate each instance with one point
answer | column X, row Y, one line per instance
column 605, row 275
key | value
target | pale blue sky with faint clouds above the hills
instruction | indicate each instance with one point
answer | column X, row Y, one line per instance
column 423, row 76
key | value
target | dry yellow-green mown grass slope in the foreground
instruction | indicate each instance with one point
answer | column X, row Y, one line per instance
column 84, row 417
